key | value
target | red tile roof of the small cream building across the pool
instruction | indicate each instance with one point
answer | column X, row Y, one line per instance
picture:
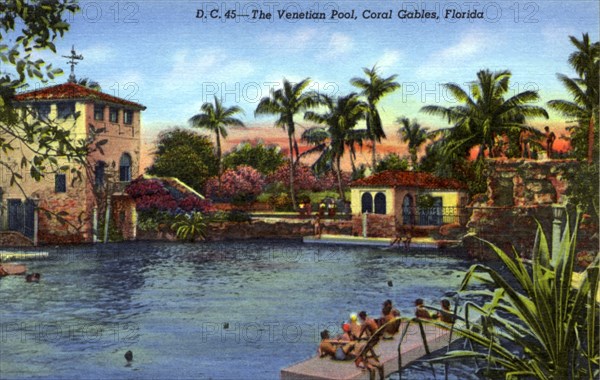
column 397, row 178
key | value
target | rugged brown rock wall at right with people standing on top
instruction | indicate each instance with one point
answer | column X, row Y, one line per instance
column 520, row 194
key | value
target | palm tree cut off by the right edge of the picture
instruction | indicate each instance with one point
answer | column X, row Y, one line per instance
column 584, row 90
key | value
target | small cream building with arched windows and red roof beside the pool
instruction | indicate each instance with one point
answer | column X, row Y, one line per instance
column 394, row 197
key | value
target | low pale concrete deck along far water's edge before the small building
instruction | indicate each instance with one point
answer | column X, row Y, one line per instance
column 419, row 242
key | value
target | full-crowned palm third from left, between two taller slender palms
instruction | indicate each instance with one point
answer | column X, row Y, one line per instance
column 341, row 117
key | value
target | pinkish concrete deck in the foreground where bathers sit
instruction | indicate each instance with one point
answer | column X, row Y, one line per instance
column 412, row 349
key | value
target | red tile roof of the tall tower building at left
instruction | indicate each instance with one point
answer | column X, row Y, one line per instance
column 73, row 91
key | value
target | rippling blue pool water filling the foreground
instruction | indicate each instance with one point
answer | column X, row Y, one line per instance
column 235, row 310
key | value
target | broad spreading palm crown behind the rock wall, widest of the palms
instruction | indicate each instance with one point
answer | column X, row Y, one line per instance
column 485, row 113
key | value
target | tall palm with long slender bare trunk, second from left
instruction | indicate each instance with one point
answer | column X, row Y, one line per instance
column 287, row 102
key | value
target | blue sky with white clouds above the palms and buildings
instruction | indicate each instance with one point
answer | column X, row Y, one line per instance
column 161, row 54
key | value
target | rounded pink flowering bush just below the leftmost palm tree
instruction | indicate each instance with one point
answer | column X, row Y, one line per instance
column 240, row 185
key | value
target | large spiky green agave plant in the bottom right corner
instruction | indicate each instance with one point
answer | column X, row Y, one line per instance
column 541, row 324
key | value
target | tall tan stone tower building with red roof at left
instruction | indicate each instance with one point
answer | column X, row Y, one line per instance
column 77, row 109
